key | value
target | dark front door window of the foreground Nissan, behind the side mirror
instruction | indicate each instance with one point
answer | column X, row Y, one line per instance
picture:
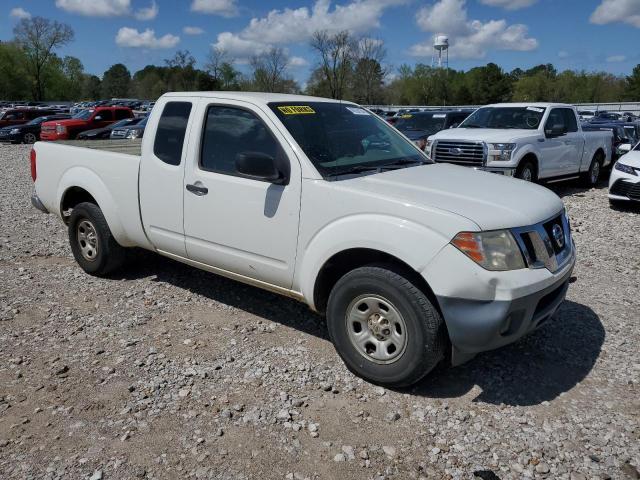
column 229, row 131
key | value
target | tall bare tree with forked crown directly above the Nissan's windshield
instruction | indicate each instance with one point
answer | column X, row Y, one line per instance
column 336, row 58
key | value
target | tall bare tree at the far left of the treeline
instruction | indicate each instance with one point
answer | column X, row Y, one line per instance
column 39, row 37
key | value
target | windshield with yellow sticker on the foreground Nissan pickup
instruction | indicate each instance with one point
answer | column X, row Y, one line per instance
column 339, row 138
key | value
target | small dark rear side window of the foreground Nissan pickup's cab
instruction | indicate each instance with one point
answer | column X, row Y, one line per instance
column 172, row 129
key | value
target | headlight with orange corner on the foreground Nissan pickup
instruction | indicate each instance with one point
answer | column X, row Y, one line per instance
column 495, row 251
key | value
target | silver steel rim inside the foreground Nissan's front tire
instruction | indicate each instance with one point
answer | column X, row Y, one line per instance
column 376, row 329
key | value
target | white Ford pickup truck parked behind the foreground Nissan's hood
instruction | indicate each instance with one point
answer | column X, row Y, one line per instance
column 531, row 141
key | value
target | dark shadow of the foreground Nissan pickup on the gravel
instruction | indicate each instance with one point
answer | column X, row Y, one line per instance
column 538, row 368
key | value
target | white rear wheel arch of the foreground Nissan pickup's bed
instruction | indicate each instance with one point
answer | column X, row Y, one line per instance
column 88, row 180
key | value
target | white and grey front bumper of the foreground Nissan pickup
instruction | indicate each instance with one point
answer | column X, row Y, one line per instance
column 487, row 310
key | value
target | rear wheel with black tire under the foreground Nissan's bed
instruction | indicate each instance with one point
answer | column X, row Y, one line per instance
column 86, row 225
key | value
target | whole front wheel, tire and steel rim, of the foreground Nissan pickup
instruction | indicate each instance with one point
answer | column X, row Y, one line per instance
column 385, row 328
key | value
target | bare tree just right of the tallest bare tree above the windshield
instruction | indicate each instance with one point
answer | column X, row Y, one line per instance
column 369, row 72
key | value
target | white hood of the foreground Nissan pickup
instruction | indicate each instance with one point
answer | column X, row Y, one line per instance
column 489, row 200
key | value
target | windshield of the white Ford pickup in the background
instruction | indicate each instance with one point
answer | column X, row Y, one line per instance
column 526, row 118
